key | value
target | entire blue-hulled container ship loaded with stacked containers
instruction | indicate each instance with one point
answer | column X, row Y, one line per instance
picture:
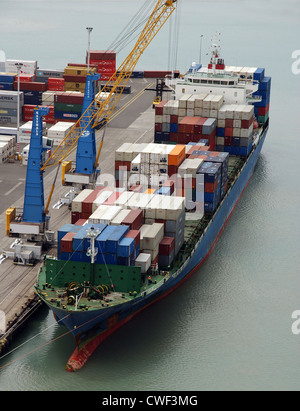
column 130, row 244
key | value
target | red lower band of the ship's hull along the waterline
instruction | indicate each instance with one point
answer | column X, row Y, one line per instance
column 79, row 357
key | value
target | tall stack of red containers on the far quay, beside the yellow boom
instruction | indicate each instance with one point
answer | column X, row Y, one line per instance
column 105, row 61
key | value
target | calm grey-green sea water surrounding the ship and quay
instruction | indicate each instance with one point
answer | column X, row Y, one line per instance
column 229, row 326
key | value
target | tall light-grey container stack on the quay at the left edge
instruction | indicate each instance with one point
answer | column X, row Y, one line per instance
column 9, row 106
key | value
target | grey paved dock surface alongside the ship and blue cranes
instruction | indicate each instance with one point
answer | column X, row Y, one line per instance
column 132, row 121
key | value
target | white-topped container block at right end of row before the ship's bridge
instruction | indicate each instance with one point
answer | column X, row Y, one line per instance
column 235, row 129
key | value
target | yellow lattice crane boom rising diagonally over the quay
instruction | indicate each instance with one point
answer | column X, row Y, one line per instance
column 103, row 109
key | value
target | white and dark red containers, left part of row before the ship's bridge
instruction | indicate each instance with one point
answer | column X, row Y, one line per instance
column 190, row 118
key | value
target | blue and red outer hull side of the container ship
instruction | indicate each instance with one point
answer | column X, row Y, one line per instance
column 90, row 328
